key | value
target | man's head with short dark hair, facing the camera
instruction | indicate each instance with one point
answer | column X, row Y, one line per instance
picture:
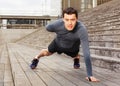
column 70, row 17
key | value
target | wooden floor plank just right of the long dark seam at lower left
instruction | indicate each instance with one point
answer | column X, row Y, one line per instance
column 19, row 76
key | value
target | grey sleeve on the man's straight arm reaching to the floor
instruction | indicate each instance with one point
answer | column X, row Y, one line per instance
column 85, row 49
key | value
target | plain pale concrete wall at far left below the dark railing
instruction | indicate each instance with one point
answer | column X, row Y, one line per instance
column 11, row 35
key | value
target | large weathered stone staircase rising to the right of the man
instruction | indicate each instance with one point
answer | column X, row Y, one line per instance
column 103, row 23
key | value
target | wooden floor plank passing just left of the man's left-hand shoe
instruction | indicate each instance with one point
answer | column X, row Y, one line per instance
column 31, row 75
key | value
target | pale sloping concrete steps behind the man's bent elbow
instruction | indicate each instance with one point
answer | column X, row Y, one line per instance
column 38, row 39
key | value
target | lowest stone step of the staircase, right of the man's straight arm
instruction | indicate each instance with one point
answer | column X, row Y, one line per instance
column 110, row 63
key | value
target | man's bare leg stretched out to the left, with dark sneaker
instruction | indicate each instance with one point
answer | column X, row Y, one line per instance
column 43, row 52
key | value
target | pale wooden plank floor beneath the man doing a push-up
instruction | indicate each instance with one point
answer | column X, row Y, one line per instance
column 55, row 70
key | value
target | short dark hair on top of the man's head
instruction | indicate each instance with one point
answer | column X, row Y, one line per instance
column 70, row 10
